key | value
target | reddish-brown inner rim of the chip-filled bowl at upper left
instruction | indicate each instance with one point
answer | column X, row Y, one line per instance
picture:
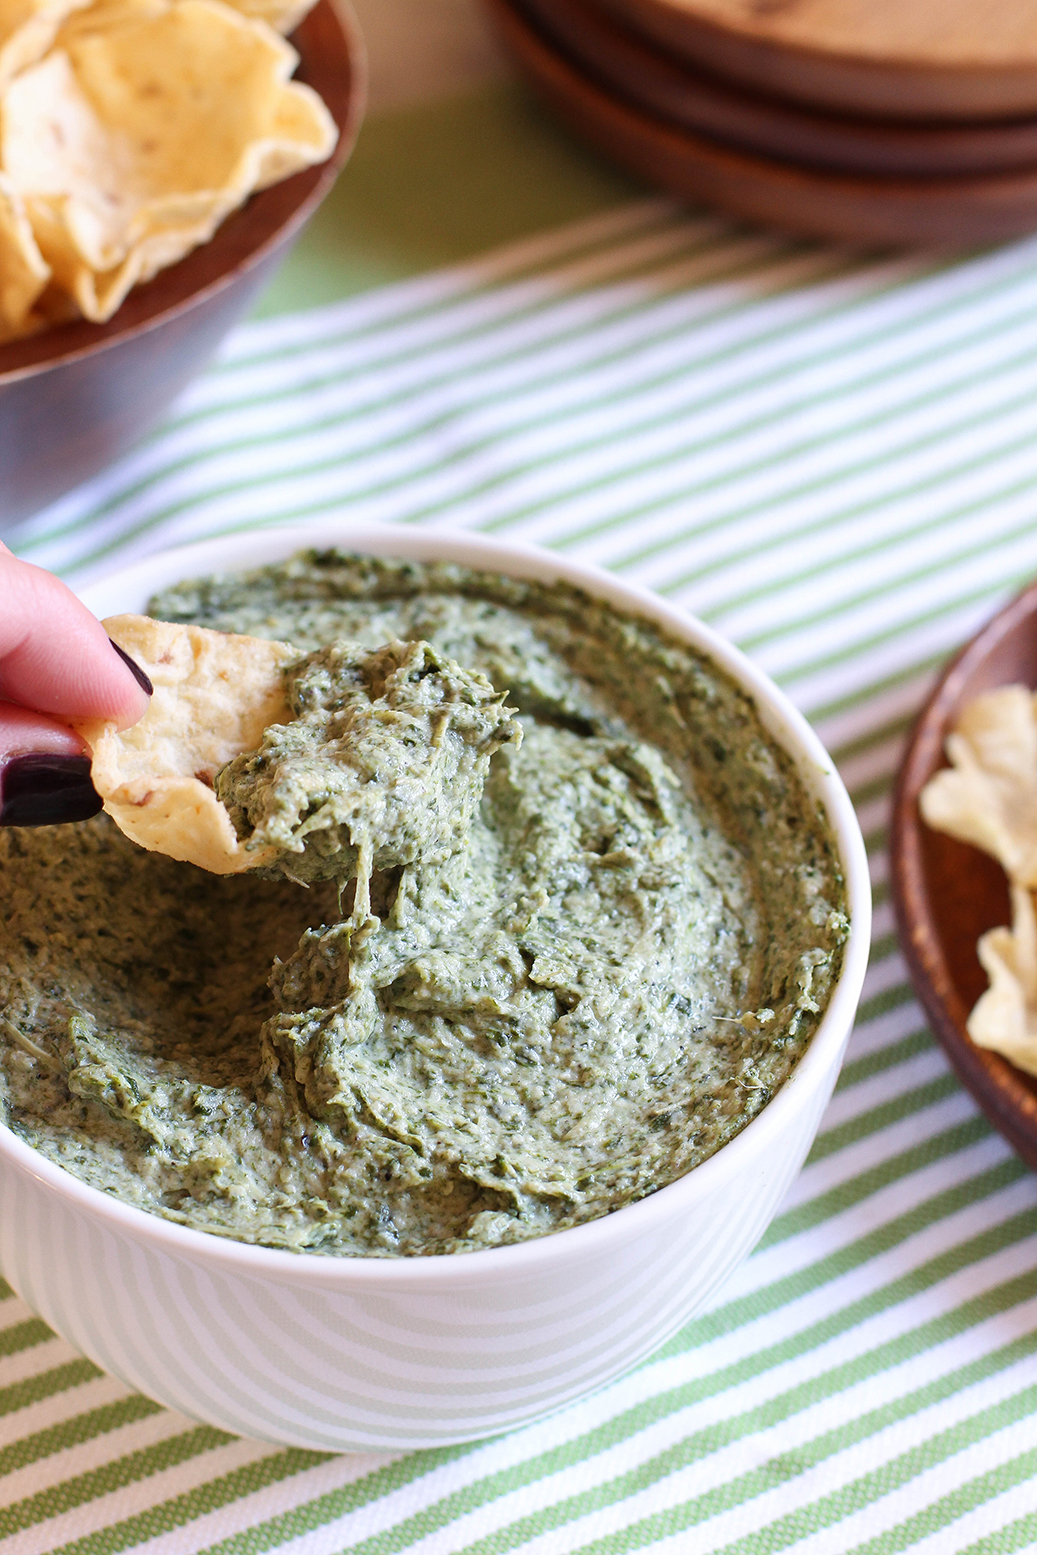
column 37, row 355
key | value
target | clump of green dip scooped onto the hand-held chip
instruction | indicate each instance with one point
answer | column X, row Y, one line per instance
column 382, row 764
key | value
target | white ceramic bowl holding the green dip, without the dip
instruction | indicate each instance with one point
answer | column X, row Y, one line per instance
column 354, row 1354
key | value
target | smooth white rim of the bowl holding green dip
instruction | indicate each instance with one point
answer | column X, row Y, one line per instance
column 783, row 721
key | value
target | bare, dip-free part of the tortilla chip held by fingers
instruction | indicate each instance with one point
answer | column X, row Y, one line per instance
column 214, row 697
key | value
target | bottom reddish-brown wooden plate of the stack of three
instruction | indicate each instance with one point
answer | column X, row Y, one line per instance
column 879, row 212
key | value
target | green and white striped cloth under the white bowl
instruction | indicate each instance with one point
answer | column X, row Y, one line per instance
column 829, row 456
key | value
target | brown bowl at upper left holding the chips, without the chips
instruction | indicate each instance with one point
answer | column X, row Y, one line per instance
column 79, row 396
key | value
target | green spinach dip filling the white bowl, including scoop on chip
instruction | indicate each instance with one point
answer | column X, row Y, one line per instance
column 554, row 920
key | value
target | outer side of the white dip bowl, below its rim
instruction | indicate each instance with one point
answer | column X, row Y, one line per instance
column 385, row 1366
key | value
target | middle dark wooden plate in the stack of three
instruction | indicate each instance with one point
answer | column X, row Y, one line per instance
column 654, row 80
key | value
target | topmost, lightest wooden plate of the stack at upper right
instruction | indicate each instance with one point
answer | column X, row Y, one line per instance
column 890, row 58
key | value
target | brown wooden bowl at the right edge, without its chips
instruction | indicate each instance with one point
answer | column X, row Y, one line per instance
column 948, row 893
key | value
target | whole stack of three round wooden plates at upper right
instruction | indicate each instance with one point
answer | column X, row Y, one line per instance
column 884, row 122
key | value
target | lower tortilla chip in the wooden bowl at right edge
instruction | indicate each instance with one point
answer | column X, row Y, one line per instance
column 1005, row 1018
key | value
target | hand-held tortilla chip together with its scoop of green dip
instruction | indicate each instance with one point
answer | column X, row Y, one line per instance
column 323, row 766
